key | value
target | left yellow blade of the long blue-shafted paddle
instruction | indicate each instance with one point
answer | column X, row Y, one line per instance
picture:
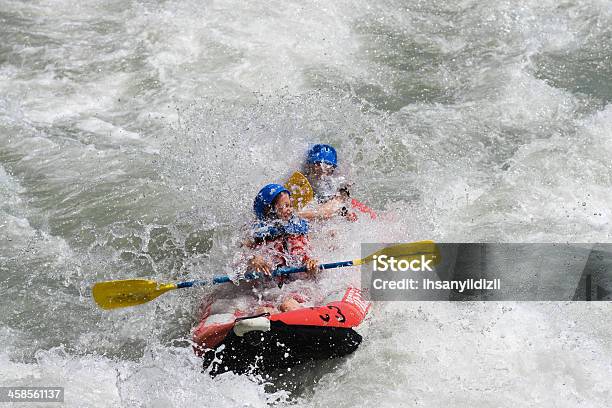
column 124, row 293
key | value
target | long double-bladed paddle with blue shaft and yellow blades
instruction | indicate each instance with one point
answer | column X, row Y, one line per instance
column 132, row 292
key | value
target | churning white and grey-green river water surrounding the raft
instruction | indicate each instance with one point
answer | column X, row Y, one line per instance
column 135, row 134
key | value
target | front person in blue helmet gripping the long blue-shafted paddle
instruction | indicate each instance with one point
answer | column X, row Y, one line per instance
column 280, row 238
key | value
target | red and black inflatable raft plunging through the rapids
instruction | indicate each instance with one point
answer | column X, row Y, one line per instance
column 263, row 343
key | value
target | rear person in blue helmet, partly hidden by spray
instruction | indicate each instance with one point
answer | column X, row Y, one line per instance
column 331, row 192
